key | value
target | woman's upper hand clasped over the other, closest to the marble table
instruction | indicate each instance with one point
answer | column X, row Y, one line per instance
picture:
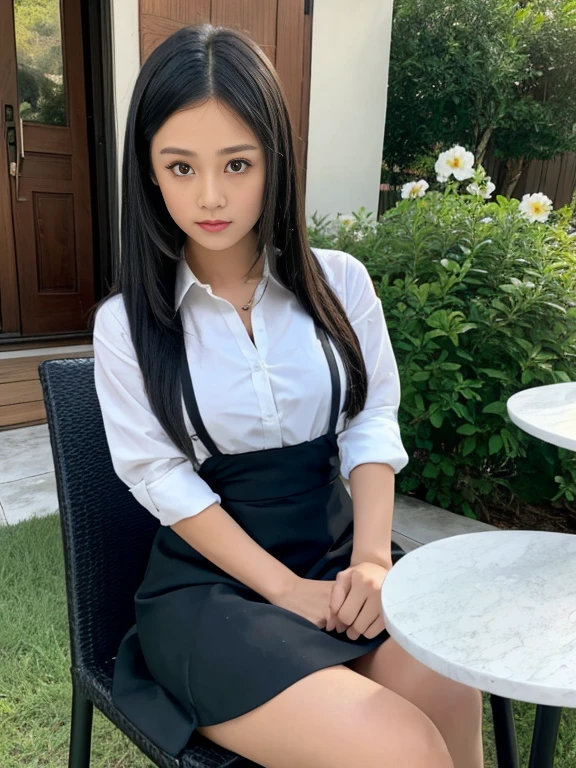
column 356, row 603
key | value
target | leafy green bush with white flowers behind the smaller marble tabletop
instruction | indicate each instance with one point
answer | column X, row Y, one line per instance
column 480, row 300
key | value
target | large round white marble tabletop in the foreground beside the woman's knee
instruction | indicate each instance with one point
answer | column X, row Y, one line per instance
column 493, row 610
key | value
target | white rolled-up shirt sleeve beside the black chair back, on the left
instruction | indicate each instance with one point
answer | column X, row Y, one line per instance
column 144, row 457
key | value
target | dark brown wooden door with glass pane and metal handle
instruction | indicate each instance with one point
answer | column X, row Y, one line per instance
column 46, row 260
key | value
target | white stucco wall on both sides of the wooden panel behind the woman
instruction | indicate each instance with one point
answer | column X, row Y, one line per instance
column 350, row 53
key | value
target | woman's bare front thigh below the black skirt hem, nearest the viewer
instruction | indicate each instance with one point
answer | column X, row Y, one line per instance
column 334, row 718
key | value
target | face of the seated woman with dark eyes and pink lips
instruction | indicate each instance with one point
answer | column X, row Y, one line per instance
column 201, row 179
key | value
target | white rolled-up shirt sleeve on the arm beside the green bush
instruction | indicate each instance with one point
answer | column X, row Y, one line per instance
column 374, row 434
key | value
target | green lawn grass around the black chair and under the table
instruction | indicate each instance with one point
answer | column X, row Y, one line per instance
column 35, row 685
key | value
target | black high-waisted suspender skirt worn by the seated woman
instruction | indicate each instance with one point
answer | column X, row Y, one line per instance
column 205, row 648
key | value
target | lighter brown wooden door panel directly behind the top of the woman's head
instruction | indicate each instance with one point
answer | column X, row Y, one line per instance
column 282, row 28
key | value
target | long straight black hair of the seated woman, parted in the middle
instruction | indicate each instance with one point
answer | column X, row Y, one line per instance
column 191, row 66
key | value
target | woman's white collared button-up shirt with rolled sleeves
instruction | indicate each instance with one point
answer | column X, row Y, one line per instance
column 272, row 393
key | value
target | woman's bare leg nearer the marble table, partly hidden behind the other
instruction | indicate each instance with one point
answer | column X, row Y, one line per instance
column 455, row 709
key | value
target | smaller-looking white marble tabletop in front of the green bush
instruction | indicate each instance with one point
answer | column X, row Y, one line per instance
column 547, row 412
